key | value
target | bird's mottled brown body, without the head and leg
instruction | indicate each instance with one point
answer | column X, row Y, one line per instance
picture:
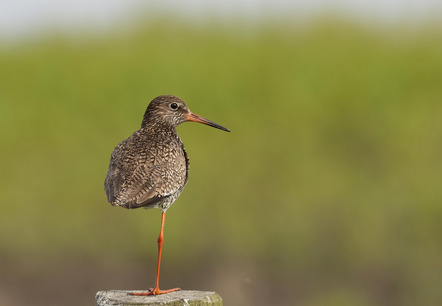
column 148, row 169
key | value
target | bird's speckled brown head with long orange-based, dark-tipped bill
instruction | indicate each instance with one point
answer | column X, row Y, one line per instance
column 171, row 110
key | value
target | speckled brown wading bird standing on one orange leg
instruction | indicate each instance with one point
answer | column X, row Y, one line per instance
column 150, row 168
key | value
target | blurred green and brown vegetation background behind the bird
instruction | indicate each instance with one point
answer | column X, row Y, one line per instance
column 327, row 191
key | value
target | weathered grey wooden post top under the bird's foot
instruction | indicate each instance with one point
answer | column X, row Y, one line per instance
column 177, row 298
